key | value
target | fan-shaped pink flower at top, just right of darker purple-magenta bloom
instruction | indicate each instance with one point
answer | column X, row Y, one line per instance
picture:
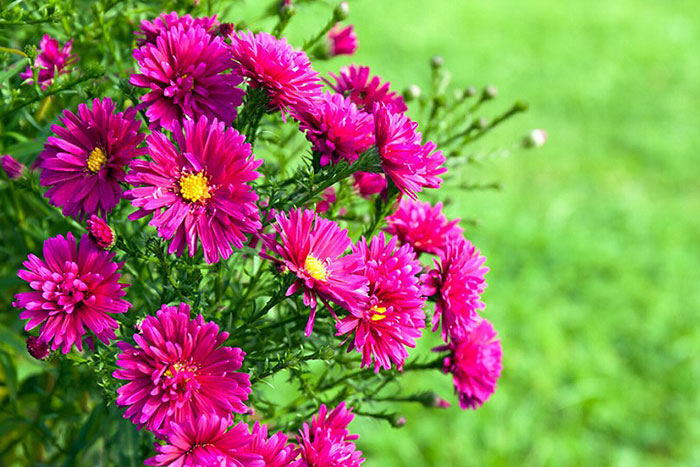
column 273, row 64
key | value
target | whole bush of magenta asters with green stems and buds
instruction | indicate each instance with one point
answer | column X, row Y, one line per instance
column 217, row 213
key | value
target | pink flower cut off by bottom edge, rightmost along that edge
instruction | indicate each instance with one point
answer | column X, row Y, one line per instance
column 326, row 442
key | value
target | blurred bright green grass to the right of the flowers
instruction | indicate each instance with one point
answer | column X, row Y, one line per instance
column 592, row 243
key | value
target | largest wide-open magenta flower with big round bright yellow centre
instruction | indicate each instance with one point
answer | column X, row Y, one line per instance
column 200, row 192
